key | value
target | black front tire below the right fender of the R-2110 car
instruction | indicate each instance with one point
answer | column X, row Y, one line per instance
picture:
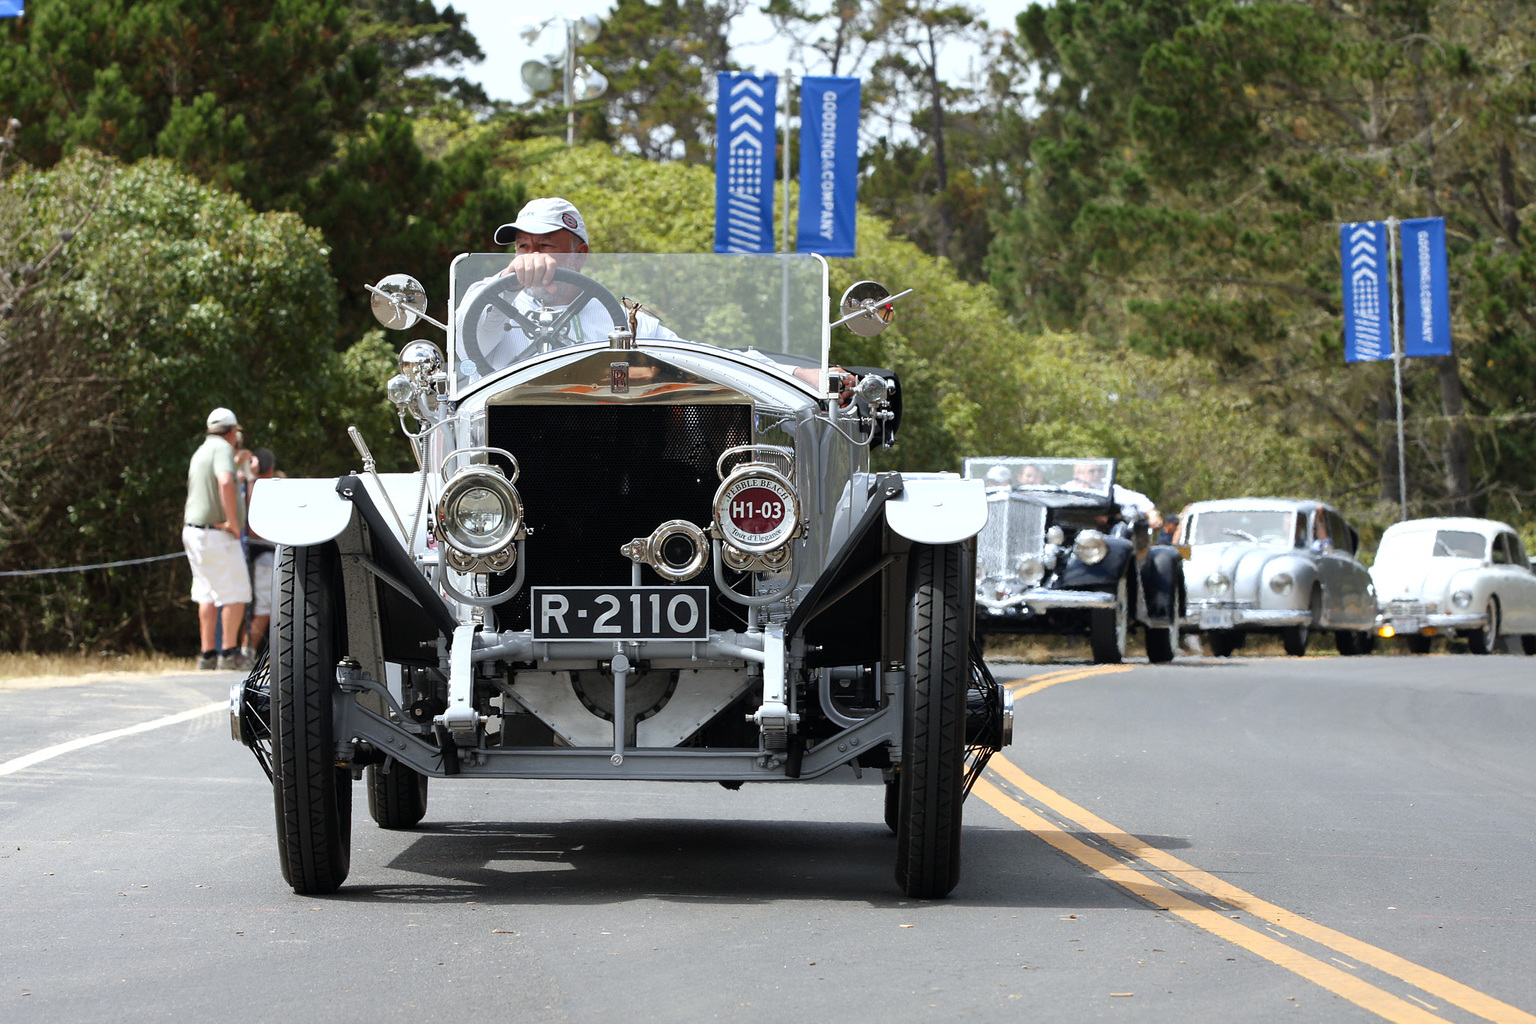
column 933, row 768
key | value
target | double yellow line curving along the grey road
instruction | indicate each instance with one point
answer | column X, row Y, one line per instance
column 1182, row 887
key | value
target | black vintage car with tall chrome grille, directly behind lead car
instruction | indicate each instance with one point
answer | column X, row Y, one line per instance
column 1068, row 552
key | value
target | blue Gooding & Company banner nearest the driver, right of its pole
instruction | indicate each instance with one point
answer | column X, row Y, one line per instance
column 829, row 165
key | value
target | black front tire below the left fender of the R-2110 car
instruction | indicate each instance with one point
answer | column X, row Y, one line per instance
column 313, row 796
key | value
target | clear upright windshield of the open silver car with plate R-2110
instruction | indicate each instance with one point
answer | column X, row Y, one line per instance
column 773, row 306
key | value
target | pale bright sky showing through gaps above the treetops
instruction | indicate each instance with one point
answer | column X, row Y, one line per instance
column 755, row 45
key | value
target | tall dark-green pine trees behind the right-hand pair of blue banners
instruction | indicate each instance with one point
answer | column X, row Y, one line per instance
column 1187, row 174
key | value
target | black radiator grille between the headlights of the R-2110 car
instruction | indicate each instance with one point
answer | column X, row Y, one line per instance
column 598, row 477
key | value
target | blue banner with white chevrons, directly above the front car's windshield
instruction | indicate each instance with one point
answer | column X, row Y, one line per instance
column 744, row 162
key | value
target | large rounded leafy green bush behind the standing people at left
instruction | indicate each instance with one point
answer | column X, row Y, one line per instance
column 168, row 299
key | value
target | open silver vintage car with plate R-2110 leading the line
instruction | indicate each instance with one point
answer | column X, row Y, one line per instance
column 634, row 550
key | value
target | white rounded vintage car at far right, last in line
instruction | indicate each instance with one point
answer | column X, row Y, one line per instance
column 1465, row 578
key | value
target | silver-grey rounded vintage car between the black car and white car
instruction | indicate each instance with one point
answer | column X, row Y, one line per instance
column 1276, row 566
